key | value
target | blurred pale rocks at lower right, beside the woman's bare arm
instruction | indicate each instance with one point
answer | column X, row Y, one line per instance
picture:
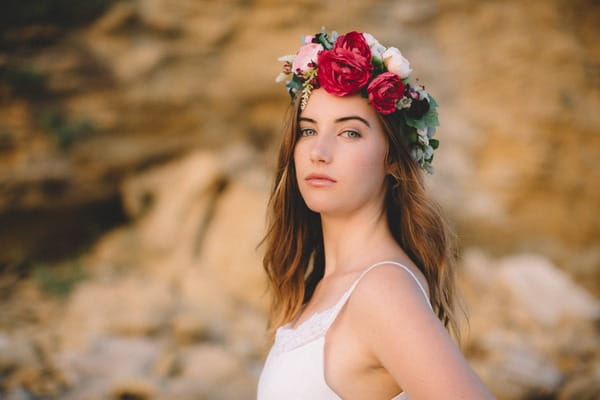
column 533, row 330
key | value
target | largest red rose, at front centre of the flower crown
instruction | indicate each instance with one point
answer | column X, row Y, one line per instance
column 343, row 72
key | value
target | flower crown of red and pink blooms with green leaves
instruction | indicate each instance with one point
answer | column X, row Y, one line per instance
column 357, row 63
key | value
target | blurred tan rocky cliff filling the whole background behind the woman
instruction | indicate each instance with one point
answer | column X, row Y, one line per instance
column 136, row 143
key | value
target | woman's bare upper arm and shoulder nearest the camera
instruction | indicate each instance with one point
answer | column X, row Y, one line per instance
column 391, row 316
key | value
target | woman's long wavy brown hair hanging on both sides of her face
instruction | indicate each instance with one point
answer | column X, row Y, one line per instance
column 294, row 258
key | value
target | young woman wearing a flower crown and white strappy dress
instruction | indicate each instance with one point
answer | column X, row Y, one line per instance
column 358, row 258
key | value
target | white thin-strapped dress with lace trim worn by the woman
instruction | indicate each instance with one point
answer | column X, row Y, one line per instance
column 294, row 368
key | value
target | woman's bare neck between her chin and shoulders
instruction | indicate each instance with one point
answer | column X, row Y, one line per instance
column 352, row 241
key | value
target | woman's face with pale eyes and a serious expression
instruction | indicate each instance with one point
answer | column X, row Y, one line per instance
column 340, row 154
